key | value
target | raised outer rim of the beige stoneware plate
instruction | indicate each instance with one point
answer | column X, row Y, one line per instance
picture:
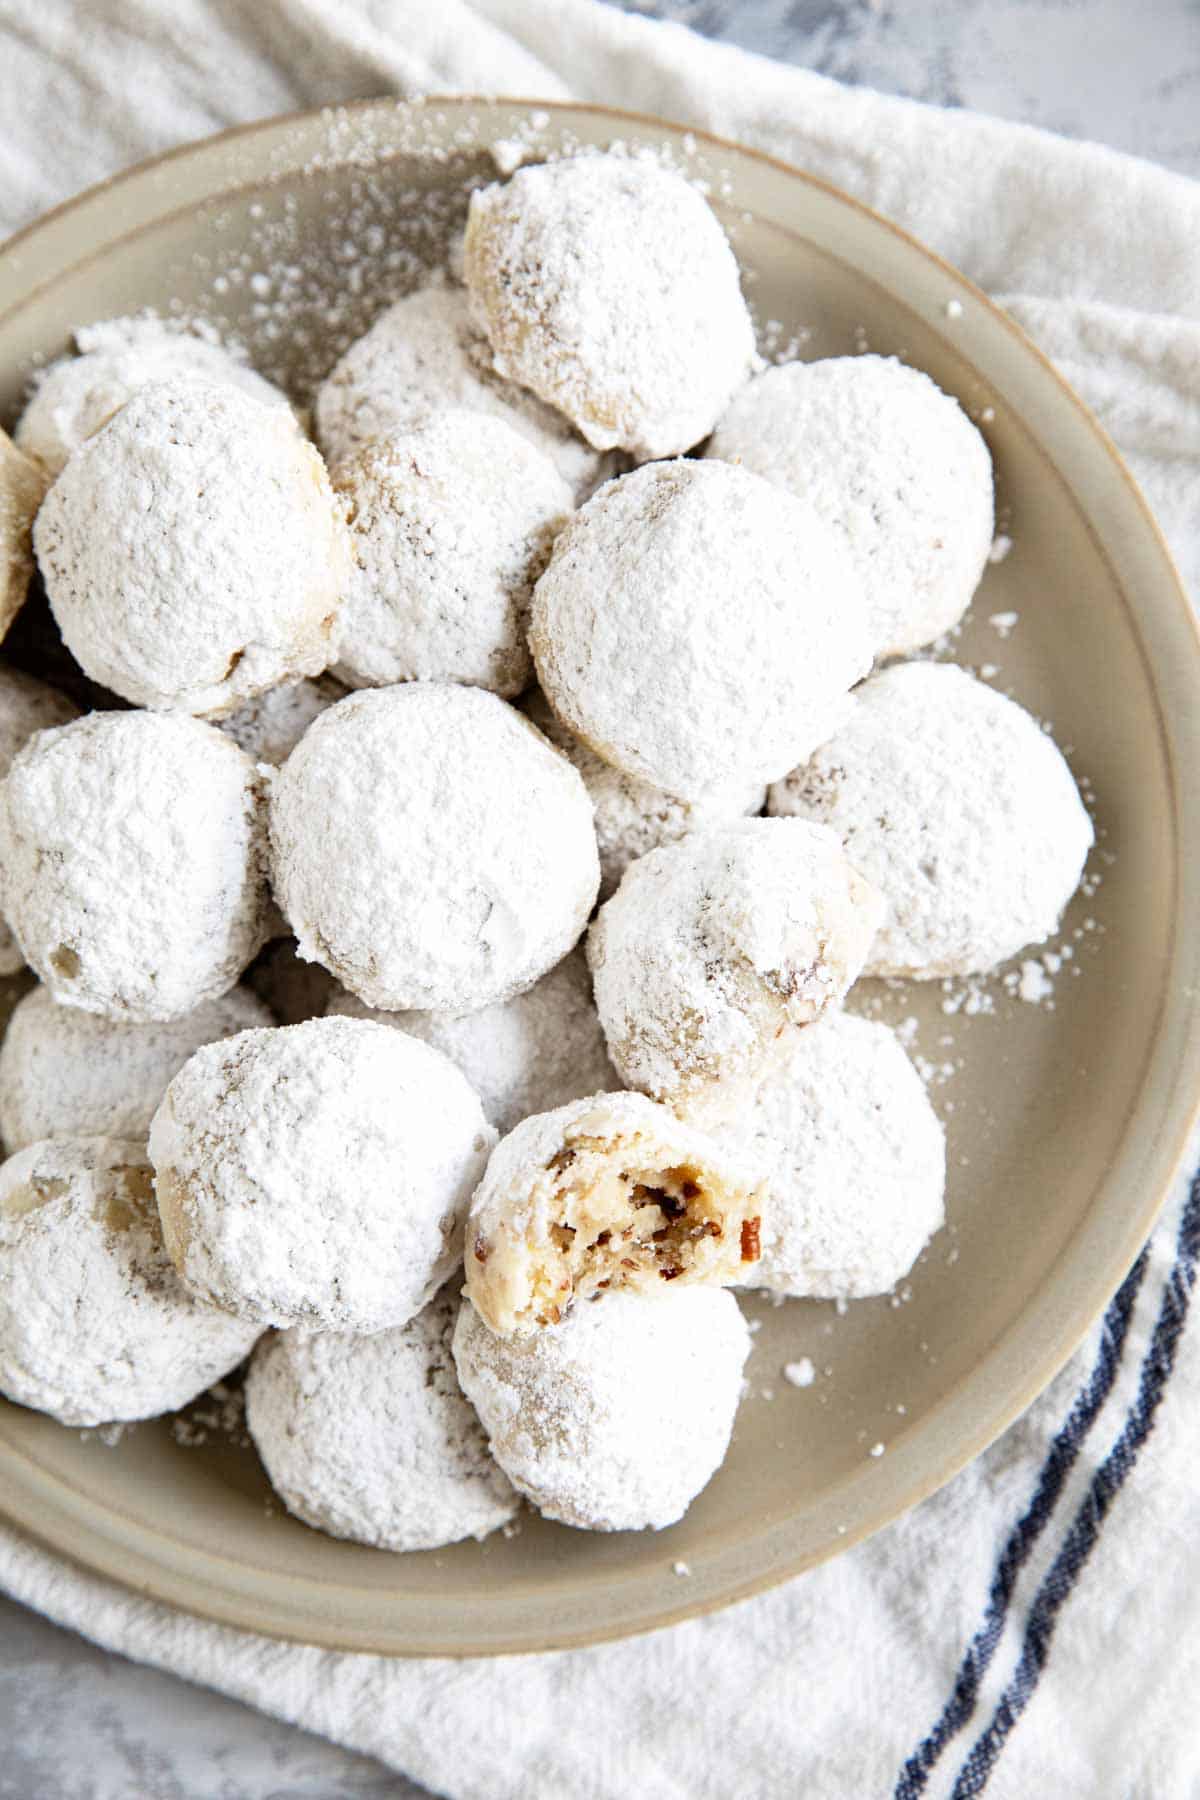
column 60, row 1525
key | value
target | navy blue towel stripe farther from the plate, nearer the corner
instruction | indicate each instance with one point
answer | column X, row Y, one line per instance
column 1091, row 1516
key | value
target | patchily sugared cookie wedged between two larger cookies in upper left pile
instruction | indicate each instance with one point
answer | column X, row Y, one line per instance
column 451, row 525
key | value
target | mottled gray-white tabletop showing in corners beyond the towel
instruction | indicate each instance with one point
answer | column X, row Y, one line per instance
column 82, row 1725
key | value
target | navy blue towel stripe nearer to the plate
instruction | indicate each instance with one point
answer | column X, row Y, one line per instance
column 1026, row 1534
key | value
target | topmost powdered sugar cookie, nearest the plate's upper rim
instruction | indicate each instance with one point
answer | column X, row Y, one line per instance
column 609, row 289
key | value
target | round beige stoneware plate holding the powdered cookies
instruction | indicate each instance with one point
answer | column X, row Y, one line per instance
column 1066, row 1124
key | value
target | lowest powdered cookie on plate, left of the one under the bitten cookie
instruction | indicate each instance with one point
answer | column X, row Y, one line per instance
column 373, row 1439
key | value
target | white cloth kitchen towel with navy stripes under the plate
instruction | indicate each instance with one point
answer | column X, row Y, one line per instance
column 1035, row 1628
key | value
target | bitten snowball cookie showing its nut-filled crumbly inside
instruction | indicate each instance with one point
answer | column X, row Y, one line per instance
column 605, row 1192
